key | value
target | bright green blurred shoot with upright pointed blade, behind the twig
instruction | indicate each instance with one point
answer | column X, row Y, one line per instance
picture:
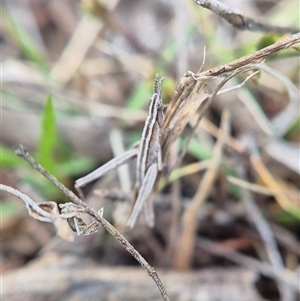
column 52, row 153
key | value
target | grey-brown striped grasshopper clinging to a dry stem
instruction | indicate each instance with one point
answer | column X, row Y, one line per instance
column 149, row 160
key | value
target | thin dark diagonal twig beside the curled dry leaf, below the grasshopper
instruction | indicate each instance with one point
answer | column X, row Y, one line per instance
column 22, row 152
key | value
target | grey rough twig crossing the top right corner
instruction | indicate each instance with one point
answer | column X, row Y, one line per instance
column 240, row 21
